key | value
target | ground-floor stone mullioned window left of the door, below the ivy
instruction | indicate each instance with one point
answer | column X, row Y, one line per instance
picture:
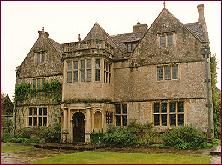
column 34, row 116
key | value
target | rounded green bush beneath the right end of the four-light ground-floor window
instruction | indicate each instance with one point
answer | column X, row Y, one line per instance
column 186, row 137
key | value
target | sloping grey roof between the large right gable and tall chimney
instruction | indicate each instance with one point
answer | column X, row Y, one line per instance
column 197, row 30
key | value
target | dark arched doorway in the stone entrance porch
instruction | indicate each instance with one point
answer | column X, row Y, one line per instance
column 78, row 123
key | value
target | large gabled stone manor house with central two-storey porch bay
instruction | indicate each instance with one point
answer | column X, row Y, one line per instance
column 153, row 74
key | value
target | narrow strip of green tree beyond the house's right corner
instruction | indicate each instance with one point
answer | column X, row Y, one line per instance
column 215, row 96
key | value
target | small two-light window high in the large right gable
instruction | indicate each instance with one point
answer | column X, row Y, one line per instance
column 166, row 40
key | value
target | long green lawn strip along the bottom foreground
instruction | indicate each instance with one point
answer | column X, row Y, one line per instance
column 93, row 157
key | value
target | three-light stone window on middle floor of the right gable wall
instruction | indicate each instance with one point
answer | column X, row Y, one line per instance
column 162, row 74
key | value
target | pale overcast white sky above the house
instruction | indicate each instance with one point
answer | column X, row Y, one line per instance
column 20, row 22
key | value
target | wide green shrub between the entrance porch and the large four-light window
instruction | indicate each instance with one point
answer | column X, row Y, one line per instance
column 133, row 134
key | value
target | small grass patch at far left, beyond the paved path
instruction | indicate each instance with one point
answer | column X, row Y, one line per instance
column 13, row 147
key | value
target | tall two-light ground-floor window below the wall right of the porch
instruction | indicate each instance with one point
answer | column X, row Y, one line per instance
column 121, row 115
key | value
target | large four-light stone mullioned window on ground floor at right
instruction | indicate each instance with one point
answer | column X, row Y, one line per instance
column 169, row 113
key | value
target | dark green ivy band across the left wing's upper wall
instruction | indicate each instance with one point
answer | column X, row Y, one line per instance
column 51, row 89
